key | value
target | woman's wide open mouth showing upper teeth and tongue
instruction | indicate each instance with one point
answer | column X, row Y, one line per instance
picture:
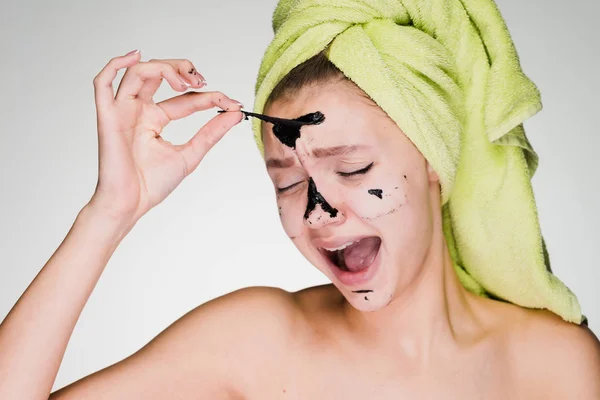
column 354, row 256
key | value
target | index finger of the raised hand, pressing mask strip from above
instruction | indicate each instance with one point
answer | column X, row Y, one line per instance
column 188, row 103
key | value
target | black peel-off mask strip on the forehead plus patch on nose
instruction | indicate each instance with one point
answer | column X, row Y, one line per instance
column 288, row 131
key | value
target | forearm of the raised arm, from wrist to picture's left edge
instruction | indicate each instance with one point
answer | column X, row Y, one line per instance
column 42, row 320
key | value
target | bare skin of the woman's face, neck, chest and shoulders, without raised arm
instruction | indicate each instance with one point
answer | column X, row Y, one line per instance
column 420, row 335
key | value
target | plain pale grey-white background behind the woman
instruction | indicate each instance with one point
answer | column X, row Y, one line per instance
column 219, row 231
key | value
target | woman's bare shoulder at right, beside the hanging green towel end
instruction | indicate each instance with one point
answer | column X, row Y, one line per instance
column 554, row 358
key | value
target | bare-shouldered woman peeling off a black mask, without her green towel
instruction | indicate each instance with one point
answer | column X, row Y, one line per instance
column 363, row 205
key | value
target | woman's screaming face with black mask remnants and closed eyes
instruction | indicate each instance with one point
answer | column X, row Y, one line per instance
column 354, row 183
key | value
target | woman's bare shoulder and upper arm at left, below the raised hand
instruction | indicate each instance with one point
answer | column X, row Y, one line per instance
column 214, row 351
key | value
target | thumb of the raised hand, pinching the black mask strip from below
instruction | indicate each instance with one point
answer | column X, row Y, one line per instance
column 196, row 148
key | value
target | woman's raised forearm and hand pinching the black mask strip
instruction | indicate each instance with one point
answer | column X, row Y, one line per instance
column 138, row 169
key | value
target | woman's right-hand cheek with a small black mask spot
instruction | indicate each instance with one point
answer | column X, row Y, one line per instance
column 377, row 197
